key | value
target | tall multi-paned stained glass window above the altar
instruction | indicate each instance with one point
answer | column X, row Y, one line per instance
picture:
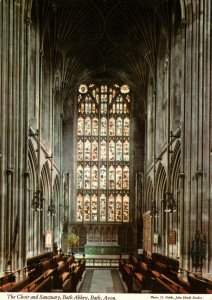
column 103, row 153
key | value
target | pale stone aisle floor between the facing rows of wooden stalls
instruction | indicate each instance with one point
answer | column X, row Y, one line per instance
column 102, row 281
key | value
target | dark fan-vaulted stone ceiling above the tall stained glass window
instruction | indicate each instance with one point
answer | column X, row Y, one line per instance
column 103, row 38
